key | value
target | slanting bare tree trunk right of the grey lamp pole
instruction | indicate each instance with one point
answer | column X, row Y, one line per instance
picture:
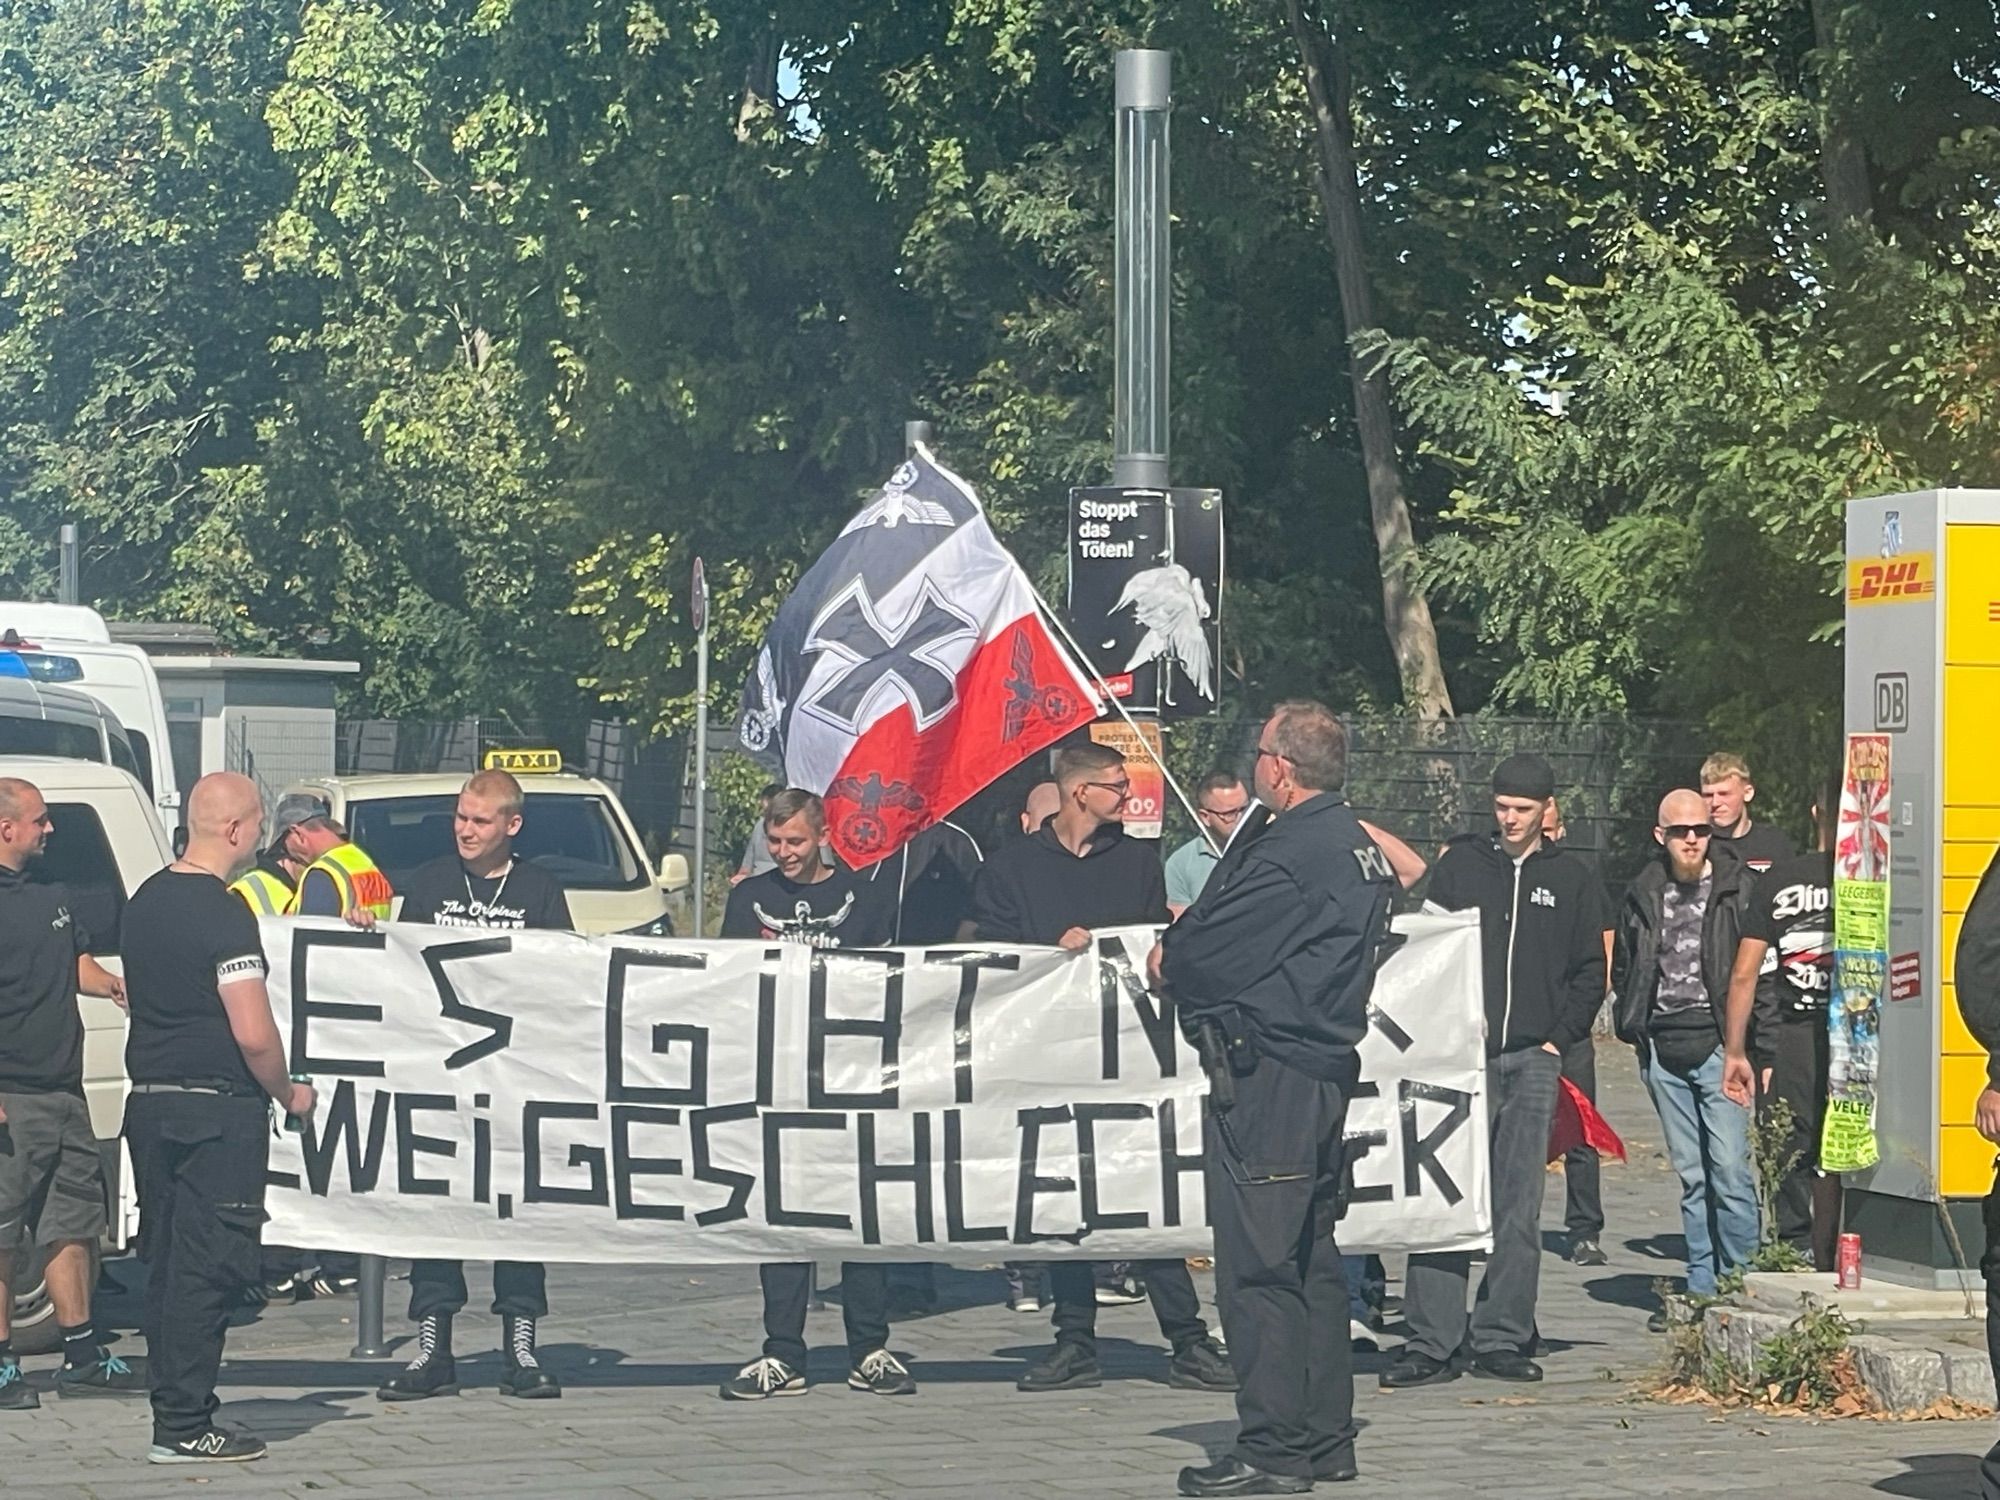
column 1405, row 611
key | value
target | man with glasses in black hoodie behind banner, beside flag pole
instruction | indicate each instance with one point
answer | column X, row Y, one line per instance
column 1075, row 873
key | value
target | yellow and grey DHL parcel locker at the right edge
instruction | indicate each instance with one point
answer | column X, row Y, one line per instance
column 1923, row 665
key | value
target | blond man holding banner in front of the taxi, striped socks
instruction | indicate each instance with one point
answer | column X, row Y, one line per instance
column 481, row 887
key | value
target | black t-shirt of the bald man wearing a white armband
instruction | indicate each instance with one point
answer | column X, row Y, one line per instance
column 185, row 937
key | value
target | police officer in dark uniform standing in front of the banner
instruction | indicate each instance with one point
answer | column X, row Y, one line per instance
column 1273, row 967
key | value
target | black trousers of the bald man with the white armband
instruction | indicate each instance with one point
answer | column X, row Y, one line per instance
column 199, row 1165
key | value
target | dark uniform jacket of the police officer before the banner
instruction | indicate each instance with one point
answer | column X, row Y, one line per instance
column 1289, row 929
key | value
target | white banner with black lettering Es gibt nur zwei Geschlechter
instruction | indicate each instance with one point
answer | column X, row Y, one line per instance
column 545, row 1097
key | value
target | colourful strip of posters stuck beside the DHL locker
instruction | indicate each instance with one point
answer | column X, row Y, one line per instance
column 1861, row 957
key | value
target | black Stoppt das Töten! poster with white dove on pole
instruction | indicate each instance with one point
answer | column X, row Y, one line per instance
column 1147, row 595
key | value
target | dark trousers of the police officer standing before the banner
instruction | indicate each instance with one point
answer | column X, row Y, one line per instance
column 1273, row 1181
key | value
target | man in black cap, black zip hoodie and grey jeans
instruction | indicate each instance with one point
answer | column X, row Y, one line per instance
column 1543, row 945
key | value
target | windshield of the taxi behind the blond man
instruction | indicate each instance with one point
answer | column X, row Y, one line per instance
column 571, row 837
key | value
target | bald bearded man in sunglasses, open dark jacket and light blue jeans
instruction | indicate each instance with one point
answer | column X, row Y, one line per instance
column 1677, row 945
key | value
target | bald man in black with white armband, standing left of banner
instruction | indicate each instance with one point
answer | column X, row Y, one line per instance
column 205, row 1063
